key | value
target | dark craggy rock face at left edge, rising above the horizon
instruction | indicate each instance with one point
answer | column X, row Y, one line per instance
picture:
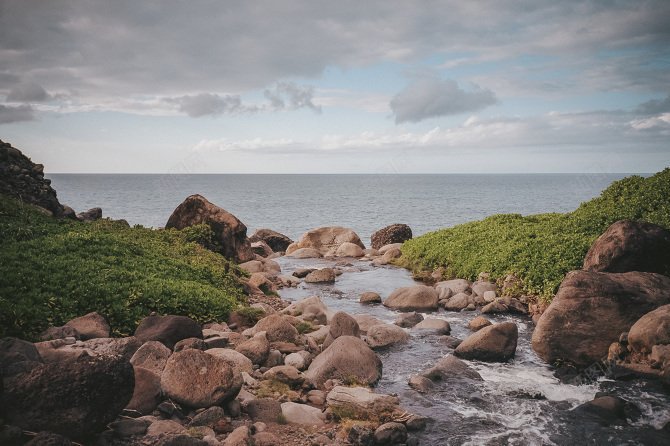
column 23, row 179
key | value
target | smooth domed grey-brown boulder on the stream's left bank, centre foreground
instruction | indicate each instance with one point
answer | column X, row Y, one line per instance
column 347, row 357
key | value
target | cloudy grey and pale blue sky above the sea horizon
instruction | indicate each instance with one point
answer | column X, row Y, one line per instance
column 310, row 86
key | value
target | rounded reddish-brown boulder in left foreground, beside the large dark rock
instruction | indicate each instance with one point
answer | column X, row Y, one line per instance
column 198, row 379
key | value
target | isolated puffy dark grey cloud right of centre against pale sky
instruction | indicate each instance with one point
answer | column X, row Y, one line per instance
column 429, row 97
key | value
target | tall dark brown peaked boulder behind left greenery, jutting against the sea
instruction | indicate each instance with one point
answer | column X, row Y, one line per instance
column 229, row 232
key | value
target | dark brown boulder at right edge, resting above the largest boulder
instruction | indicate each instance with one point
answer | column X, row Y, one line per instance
column 629, row 245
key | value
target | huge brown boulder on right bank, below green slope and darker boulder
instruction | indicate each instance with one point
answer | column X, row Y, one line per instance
column 592, row 309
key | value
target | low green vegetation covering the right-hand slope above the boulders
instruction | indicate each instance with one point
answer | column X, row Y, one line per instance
column 539, row 249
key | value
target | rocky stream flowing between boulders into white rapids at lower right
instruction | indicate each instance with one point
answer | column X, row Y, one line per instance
column 518, row 403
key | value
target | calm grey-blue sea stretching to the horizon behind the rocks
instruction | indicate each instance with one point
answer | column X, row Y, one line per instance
column 293, row 204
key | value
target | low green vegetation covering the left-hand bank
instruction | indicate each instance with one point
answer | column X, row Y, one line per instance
column 53, row 270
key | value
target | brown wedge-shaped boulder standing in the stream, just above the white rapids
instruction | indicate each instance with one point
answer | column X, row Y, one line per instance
column 495, row 343
